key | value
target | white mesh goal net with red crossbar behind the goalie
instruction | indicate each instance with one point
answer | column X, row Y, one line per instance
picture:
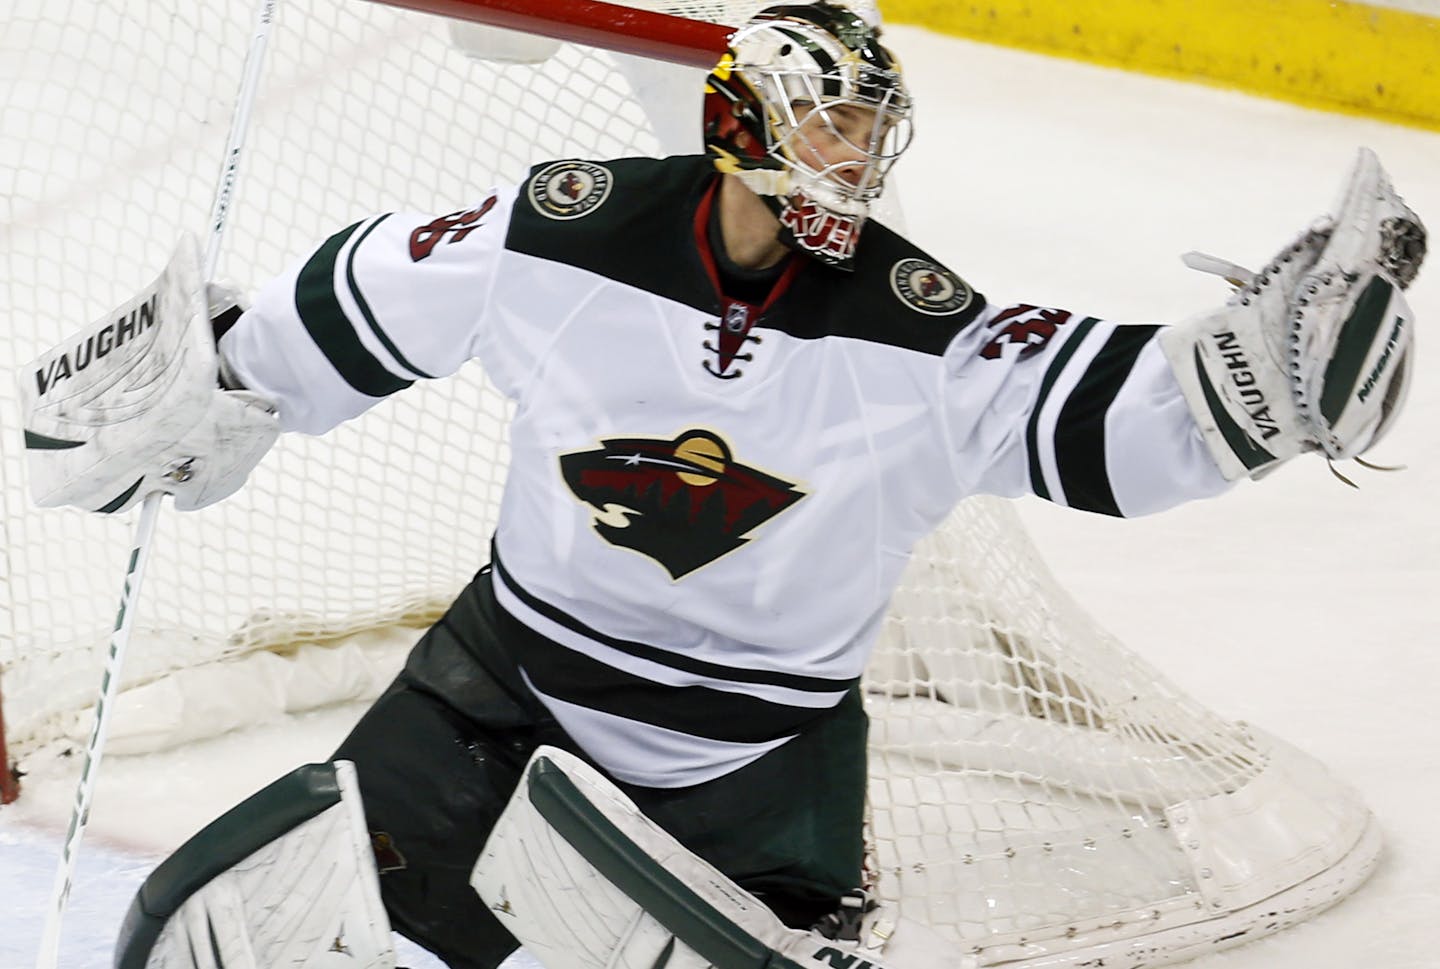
column 1040, row 797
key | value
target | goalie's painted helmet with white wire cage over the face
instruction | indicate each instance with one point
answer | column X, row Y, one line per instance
column 810, row 112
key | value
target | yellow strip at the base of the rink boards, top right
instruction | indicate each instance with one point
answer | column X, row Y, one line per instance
column 1334, row 55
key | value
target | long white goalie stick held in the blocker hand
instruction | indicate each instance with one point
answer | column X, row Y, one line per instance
column 50, row 952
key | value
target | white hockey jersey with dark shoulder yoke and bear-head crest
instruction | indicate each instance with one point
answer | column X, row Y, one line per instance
column 711, row 502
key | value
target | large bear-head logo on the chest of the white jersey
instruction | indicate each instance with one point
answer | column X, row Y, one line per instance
column 683, row 502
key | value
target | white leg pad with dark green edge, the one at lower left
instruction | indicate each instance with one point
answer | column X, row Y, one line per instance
column 286, row 879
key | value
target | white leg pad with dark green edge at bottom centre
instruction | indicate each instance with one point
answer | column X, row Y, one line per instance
column 584, row 880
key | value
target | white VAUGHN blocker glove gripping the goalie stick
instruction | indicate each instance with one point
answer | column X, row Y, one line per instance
column 135, row 405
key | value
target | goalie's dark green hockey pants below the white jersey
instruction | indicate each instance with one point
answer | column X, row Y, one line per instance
column 443, row 749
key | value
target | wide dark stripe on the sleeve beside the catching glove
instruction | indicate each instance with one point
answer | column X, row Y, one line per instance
column 1079, row 438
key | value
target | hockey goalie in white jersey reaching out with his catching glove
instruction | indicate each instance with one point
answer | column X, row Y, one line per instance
column 637, row 738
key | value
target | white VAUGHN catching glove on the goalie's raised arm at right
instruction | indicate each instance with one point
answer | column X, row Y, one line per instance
column 1314, row 352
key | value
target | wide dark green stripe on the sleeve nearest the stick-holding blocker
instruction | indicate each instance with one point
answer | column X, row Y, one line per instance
column 329, row 326
